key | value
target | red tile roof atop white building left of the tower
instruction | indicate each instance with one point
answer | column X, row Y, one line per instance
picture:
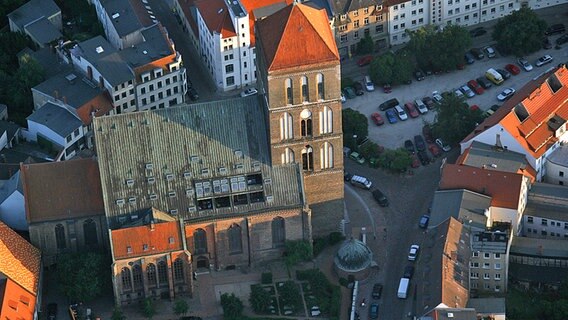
column 216, row 16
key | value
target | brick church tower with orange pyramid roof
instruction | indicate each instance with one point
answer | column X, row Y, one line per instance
column 299, row 71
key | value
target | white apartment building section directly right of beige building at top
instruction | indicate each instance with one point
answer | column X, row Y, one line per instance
column 406, row 15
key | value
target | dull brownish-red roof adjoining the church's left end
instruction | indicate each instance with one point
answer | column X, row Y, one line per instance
column 62, row 190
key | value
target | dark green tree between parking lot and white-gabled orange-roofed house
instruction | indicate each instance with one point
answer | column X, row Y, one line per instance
column 455, row 120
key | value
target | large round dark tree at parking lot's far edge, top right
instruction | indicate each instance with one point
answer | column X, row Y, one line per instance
column 519, row 33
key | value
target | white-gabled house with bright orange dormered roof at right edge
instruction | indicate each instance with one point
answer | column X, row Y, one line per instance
column 532, row 122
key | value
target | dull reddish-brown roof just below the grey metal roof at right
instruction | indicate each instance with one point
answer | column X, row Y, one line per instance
column 503, row 187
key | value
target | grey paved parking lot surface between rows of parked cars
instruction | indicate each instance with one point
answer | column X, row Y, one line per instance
column 393, row 135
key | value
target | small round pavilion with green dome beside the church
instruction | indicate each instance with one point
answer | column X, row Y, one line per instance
column 353, row 258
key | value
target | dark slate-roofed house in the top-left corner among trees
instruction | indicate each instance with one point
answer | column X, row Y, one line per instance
column 39, row 19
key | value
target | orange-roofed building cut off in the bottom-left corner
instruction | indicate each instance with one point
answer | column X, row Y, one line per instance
column 21, row 277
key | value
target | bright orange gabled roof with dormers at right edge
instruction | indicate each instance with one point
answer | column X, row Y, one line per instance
column 527, row 115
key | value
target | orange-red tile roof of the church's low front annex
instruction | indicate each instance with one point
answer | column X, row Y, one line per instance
column 146, row 240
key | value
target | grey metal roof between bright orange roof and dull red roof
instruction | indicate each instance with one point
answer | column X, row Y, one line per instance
column 482, row 155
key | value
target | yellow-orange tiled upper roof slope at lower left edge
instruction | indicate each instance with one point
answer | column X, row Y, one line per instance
column 20, row 261
